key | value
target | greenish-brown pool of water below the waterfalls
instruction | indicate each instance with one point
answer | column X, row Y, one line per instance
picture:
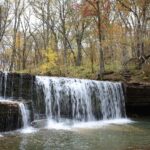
column 129, row 136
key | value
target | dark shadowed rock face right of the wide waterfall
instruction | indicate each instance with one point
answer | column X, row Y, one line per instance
column 137, row 99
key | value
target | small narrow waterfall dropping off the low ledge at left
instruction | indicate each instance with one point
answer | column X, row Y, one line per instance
column 25, row 114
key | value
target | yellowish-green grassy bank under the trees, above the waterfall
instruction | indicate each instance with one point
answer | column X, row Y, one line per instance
column 86, row 72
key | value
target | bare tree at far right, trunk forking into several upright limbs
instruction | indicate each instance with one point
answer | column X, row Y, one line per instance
column 139, row 16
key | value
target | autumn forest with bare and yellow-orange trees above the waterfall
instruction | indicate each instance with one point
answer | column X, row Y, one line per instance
column 95, row 39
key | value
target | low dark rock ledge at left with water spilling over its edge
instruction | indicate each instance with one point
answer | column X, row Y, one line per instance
column 14, row 115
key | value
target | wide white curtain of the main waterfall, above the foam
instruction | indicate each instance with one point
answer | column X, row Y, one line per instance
column 83, row 100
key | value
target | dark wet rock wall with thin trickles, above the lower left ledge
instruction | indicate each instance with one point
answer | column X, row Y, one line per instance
column 16, row 85
